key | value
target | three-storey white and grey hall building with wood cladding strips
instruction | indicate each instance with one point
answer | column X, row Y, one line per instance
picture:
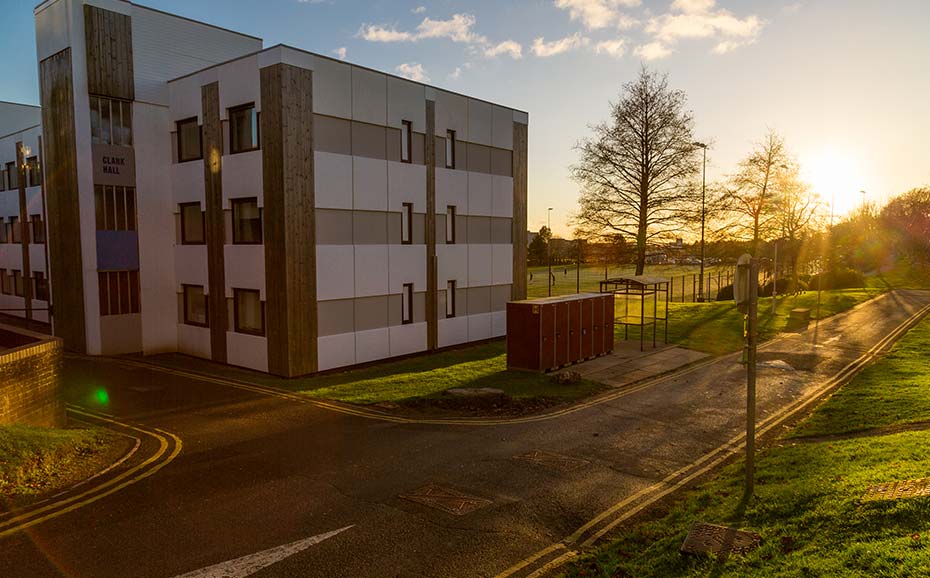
column 268, row 208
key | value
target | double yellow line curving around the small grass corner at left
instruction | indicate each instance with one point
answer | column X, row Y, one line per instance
column 169, row 446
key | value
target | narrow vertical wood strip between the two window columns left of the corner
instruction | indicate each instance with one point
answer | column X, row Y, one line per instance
column 215, row 219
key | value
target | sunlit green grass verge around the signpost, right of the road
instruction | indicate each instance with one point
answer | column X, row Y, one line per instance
column 806, row 503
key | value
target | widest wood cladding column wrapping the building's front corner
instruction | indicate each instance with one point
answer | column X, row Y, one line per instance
column 290, row 222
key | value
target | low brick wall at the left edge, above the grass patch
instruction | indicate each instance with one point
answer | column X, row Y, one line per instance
column 30, row 379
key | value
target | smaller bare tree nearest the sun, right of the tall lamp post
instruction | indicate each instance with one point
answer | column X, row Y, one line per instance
column 750, row 195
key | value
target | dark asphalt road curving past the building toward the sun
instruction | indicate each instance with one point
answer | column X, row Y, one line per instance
column 258, row 471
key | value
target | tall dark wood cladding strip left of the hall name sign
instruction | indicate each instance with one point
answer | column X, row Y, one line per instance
column 63, row 216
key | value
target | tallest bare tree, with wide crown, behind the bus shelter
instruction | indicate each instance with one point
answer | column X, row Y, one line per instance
column 635, row 170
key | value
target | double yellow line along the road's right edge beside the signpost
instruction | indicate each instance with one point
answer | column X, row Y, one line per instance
column 625, row 509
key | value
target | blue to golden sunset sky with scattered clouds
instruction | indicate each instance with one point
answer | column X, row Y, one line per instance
column 846, row 82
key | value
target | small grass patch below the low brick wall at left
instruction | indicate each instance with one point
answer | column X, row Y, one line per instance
column 34, row 460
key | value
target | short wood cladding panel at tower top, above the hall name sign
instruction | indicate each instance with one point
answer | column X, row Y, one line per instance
column 108, row 38
